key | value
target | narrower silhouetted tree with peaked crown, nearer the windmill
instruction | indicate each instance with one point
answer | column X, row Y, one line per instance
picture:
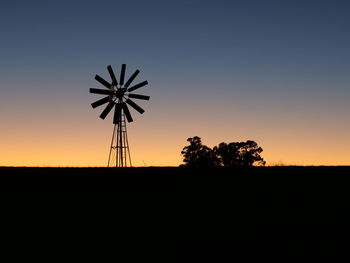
column 198, row 155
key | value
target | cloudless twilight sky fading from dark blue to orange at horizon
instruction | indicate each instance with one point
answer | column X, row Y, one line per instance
column 272, row 71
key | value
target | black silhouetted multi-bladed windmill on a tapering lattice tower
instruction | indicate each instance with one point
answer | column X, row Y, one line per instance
column 119, row 95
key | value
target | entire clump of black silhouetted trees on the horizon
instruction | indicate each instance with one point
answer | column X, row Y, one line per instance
column 234, row 154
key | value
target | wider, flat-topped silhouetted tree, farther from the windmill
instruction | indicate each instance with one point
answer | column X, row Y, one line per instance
column 239, row 154
